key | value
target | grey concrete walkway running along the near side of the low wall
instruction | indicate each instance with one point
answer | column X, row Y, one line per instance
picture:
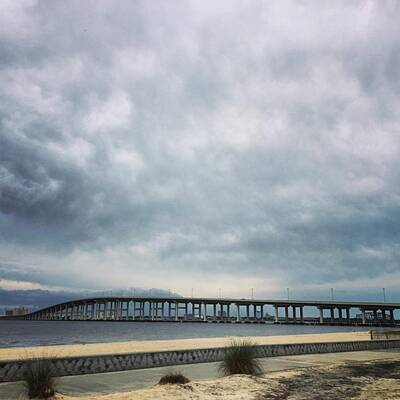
column 136, row 379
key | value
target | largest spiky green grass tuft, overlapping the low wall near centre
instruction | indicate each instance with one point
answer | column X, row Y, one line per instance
column 240, row 358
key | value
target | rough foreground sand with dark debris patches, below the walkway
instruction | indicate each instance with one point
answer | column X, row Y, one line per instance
column 373, row 380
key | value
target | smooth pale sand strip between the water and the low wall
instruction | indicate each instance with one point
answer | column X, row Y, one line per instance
column 160, row 345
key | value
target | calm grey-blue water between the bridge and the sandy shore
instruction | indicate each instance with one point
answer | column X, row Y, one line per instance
column 38, row 333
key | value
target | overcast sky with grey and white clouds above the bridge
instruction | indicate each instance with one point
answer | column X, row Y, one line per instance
column 200, row 145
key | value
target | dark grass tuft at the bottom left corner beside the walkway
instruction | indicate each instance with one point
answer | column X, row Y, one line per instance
column 39, row 379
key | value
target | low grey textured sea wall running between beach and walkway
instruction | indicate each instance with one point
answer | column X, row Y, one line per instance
column 13, row 370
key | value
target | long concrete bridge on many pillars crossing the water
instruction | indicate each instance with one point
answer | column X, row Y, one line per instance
column 222, row 310
